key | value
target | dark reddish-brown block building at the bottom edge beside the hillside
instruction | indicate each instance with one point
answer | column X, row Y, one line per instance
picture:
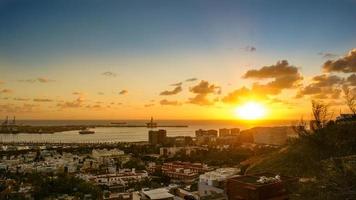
column 262, row 186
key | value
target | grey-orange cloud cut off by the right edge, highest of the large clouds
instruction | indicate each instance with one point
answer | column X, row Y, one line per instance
column 346, row 64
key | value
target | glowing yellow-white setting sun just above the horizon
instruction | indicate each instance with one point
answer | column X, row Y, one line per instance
column 250, row 111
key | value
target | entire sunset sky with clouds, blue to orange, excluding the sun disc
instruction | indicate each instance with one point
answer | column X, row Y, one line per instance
column 197, row 59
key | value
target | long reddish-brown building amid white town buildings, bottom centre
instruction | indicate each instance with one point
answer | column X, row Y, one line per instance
column 183, row 171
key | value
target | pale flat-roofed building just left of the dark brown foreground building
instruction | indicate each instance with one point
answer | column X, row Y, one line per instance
column 212, row 183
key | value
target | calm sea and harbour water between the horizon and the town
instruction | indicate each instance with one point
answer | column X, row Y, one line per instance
column 128, row 134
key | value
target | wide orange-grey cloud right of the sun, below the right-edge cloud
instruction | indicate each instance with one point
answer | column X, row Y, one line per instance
column 322, row 87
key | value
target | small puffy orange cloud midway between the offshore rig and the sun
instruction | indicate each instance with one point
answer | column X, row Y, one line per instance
column 202, row 91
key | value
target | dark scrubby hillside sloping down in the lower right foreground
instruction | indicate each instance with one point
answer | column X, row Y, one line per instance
column 324, row 160
